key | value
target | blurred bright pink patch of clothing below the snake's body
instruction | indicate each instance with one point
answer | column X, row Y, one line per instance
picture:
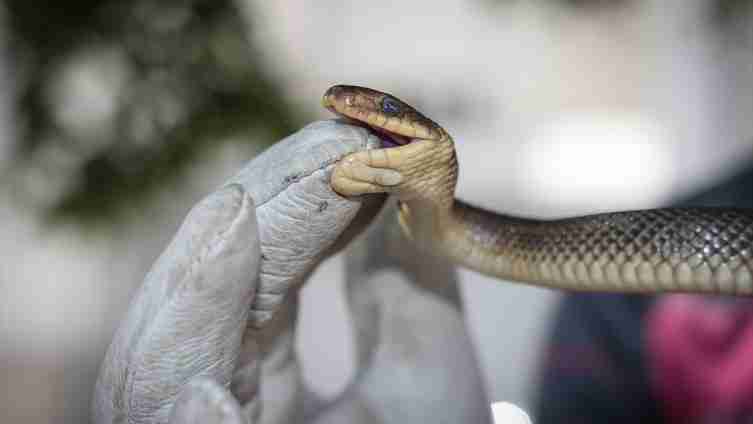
column 700, row 356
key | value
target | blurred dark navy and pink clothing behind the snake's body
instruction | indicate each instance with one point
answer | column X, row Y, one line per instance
column 666, row 359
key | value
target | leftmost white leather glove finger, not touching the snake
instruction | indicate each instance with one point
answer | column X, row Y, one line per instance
column 188, row 317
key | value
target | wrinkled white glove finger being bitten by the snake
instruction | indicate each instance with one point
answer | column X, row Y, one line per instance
column 299, row 214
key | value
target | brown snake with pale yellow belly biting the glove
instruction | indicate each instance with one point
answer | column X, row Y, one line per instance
column 692, row 250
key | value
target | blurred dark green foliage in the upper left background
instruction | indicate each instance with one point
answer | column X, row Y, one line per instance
column 185, row 77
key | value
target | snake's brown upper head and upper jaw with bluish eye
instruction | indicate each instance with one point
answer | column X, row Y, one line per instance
column 395, row 121
